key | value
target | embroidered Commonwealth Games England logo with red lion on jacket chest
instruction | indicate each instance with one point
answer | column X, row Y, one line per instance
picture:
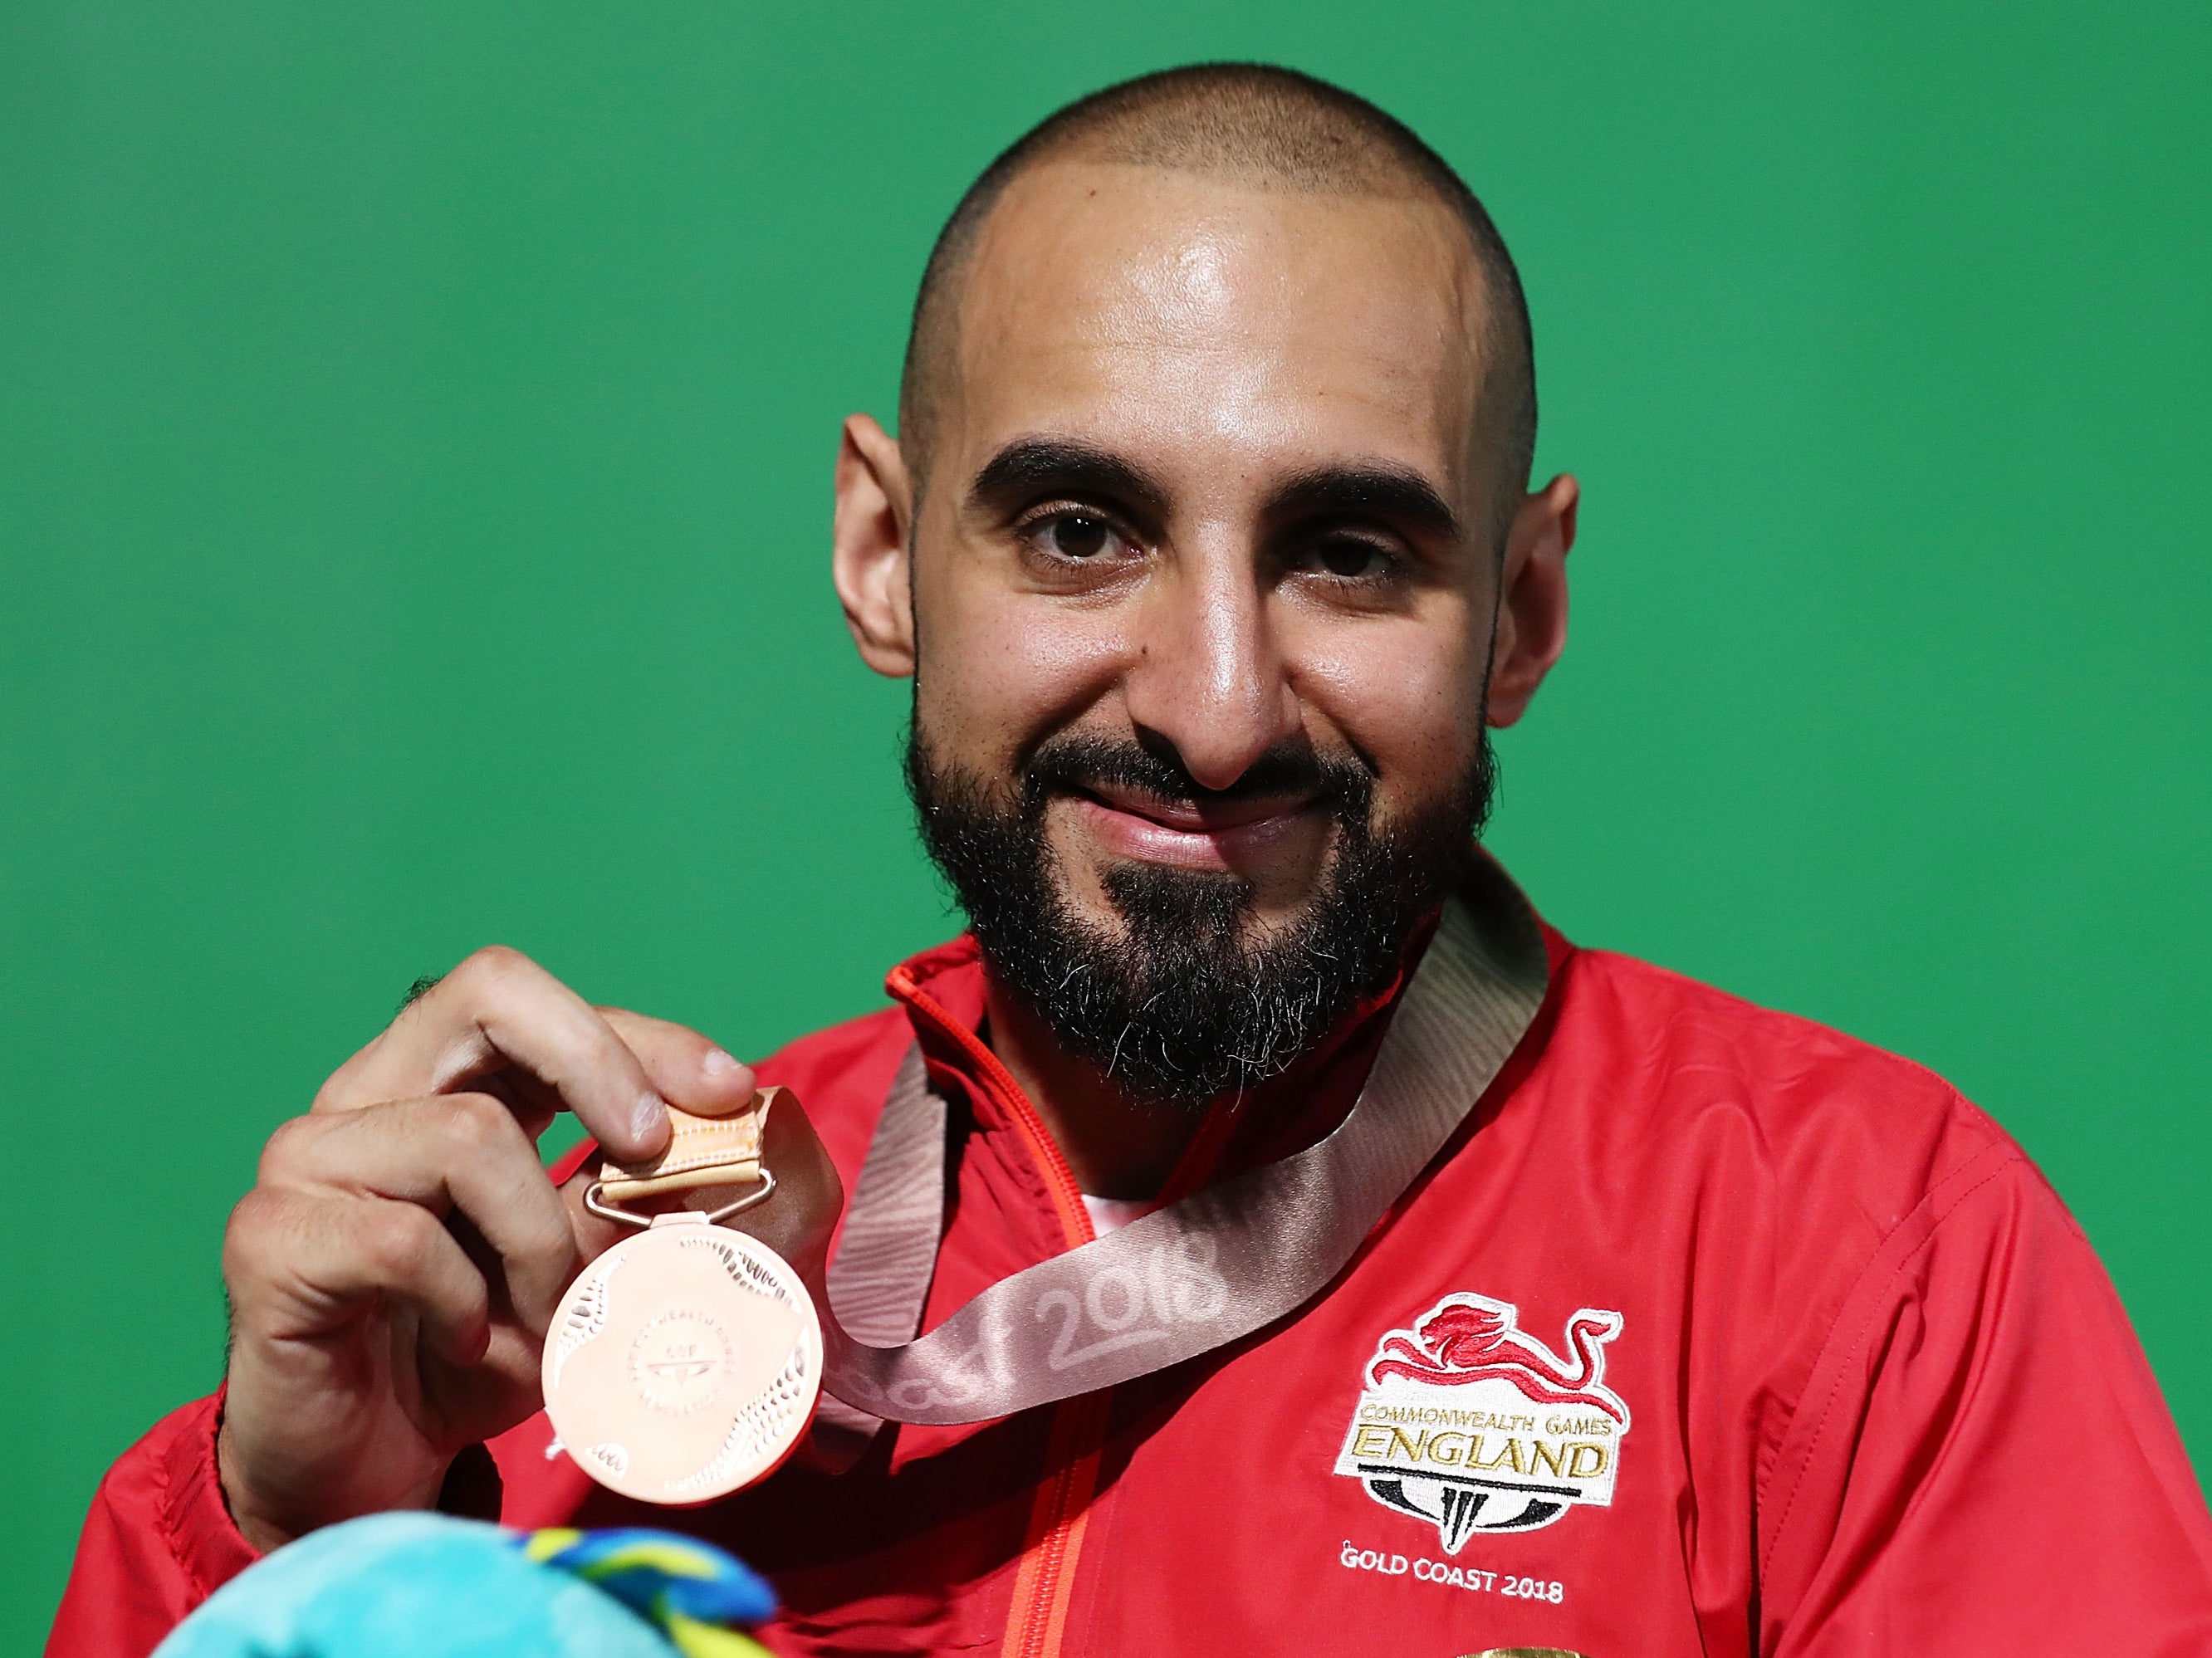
column 1474, row 1427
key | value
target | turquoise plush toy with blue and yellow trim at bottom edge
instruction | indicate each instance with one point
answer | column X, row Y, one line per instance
column 430, row 1586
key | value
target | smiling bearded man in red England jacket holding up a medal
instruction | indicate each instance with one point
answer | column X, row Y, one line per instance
column 1209, row 545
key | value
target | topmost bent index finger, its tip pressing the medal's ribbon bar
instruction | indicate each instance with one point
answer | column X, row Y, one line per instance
column 501, row 1011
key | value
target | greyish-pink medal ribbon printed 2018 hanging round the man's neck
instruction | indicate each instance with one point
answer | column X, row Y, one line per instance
column 1202, row 1272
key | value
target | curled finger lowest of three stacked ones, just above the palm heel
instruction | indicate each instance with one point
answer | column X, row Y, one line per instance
column 300, row 1268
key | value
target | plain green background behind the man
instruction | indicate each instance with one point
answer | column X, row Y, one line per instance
column 415, row 479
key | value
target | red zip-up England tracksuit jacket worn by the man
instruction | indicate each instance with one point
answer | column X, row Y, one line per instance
column 1746, row 1336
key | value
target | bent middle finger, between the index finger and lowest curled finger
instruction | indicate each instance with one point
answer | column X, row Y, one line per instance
column 444, row 1153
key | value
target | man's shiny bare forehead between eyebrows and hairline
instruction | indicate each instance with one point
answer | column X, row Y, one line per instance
column 1224, row 326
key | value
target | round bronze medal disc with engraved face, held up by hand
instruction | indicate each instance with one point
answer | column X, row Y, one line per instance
column 682, row 1365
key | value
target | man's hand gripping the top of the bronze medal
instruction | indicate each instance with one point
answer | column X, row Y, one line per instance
column 401, row 1255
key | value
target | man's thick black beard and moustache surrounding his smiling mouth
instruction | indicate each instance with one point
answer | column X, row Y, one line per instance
column 1193, row 998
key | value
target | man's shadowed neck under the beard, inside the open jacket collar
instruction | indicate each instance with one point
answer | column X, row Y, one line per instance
column 1114, row 1146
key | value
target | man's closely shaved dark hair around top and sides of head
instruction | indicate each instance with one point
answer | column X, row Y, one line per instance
column 1275, row 127
